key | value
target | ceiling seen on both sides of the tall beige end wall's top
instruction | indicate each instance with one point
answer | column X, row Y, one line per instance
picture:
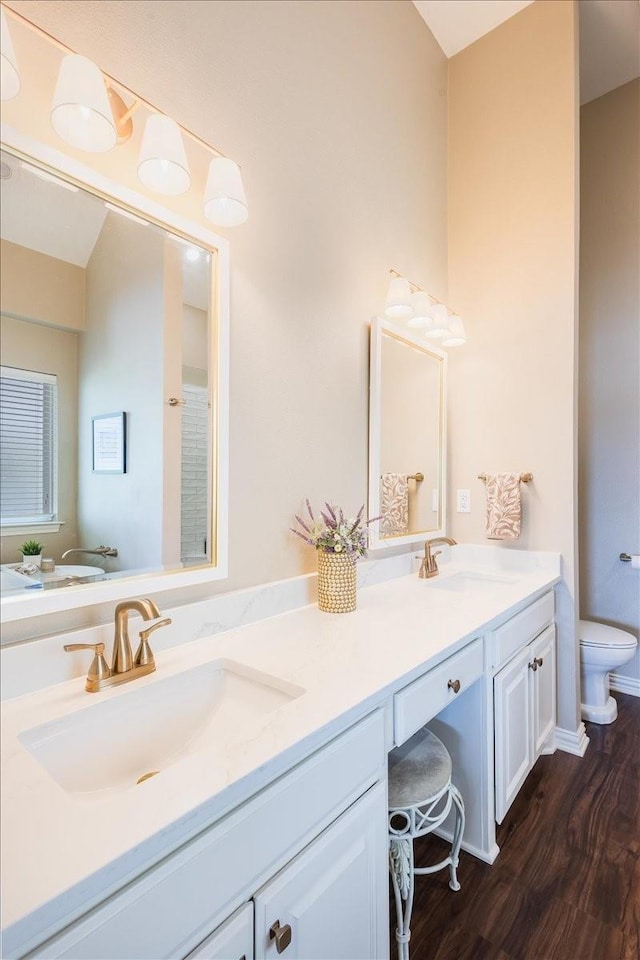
column 609, row 35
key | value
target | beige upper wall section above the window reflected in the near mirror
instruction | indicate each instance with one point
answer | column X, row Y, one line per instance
column 41, row 288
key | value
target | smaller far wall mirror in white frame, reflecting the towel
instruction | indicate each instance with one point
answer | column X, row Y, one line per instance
column 407, row 421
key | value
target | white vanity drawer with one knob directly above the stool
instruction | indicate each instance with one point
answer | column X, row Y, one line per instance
column 424, row 698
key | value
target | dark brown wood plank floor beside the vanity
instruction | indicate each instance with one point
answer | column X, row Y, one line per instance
column 566, row 885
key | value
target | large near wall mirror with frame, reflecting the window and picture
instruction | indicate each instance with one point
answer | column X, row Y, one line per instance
column 114, row 391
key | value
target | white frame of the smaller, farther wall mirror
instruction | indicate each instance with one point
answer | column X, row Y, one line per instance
column 379, row 328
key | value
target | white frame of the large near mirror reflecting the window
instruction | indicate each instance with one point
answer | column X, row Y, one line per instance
column 14, row 608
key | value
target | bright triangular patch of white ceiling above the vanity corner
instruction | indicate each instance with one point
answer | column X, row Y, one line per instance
column 457, row 23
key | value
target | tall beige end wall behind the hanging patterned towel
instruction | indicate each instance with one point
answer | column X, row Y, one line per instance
column 512, row 267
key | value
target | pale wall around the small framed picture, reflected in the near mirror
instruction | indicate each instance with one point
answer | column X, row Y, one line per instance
column 121, row 368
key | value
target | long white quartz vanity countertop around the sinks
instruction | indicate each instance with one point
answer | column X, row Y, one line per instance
column 62, row 852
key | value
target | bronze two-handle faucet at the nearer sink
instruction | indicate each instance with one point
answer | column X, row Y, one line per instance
column 124, row 666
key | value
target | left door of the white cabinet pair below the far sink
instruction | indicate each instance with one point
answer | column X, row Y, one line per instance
column 513, row 733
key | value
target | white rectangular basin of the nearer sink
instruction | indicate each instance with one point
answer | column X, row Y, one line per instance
column 115, row 744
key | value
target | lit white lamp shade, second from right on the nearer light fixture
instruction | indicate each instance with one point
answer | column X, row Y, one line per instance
column 162, row 165
